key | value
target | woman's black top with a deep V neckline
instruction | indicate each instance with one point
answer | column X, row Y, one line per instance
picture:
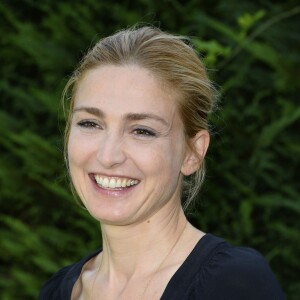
column 214, row 270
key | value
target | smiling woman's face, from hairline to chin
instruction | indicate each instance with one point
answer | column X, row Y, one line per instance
column 126, row 147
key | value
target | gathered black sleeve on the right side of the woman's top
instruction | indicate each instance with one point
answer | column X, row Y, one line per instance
column 240, row 273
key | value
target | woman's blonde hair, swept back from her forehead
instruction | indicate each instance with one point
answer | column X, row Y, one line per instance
column 171, row 59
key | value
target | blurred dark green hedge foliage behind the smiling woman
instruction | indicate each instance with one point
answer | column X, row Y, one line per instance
column 252, row 193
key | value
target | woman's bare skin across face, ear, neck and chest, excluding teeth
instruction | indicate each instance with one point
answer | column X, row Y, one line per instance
column 126, row 124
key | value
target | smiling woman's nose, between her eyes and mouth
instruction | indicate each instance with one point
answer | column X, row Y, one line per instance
column 111, row 151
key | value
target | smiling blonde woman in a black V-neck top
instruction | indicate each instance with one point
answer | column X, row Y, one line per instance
column 137, row 127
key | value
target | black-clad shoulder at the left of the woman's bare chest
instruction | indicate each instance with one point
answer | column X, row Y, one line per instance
column 60, row 285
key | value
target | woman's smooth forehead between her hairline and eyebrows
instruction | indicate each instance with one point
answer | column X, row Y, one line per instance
column 124, row 89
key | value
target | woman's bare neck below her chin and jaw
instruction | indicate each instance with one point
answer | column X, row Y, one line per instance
column 129, row 250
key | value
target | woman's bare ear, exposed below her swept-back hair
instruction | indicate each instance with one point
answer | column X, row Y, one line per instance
column 195, row 153
